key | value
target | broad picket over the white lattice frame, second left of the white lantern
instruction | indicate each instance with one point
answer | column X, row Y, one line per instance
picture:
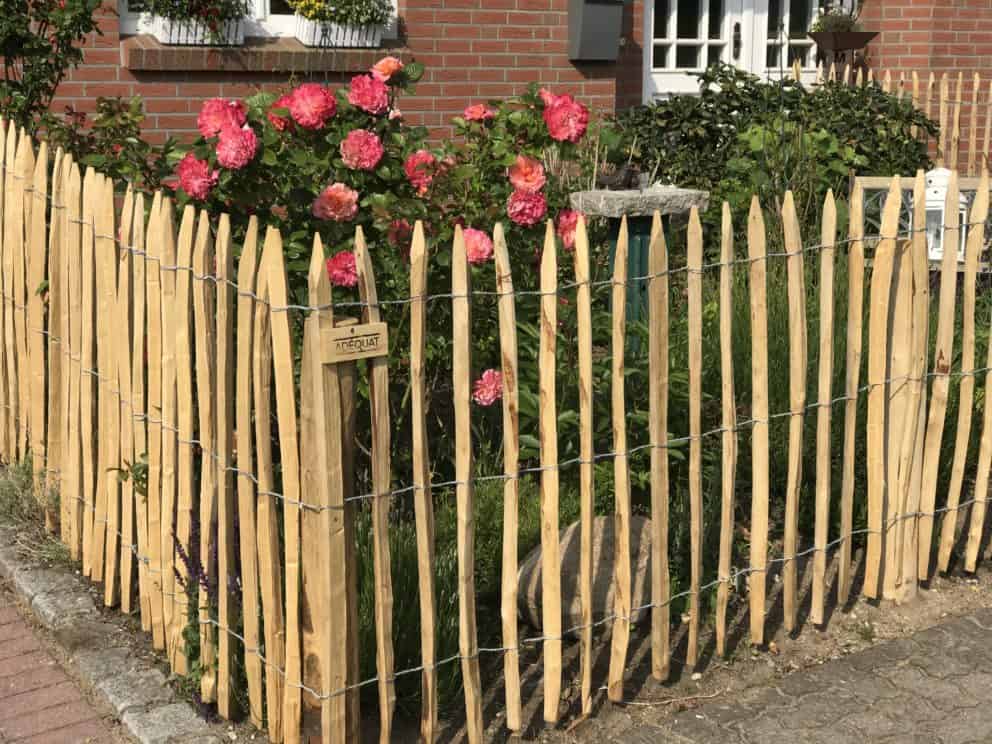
column 878, row 325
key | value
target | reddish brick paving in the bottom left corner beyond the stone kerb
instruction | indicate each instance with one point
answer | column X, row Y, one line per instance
column 39, row 704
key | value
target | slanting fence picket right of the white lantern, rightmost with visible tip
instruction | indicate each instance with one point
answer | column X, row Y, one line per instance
column 966, row 393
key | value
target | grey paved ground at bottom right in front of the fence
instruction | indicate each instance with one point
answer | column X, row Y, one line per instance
column 934, row 686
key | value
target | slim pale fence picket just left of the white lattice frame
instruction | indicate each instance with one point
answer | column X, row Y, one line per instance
column 828, row 237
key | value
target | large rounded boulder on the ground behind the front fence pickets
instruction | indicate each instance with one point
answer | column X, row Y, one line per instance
column 529, row 575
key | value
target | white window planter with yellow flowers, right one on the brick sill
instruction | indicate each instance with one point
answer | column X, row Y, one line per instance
column 341, row 23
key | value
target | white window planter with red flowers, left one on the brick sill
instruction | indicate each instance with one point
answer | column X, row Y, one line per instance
column 199, row 22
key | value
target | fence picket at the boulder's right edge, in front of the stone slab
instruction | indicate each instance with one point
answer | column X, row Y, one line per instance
column 658, row 380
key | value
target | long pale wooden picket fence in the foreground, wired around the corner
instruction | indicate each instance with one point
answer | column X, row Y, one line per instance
column 123, row 336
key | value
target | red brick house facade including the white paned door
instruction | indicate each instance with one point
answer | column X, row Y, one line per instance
column 479, row 49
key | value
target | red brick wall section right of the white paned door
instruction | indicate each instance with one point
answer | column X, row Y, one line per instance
column 936, row 36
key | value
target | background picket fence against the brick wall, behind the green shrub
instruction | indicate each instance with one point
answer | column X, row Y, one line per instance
column 960, row 104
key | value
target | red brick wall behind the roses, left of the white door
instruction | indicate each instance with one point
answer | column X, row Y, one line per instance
column 473, row 50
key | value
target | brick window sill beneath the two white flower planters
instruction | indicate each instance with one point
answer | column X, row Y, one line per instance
column 281, row 54
